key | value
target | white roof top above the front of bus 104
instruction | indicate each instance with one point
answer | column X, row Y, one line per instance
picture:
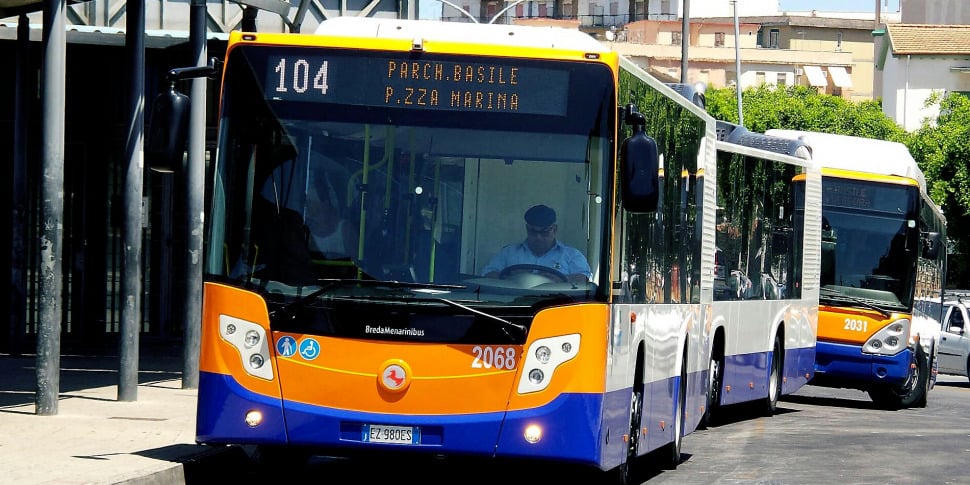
column 472, row 33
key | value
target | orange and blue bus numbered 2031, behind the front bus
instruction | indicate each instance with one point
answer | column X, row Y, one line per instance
column 883, row 269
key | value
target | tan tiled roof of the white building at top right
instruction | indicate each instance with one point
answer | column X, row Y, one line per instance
column 909, row 39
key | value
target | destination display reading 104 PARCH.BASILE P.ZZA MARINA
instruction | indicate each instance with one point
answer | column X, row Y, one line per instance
column 497, row 86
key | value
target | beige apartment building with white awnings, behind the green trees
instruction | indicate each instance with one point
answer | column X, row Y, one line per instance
column 834, row 55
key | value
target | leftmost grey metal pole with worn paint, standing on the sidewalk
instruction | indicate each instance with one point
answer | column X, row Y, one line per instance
column 52, row 210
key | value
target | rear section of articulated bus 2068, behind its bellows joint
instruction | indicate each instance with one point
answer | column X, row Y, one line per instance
column 766, row 269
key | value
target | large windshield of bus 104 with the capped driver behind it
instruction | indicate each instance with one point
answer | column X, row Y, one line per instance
column 374, row 166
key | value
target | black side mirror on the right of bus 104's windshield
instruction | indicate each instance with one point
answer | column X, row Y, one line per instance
column 639, row 167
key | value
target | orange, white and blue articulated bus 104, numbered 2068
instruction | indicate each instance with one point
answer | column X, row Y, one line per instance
column 368, row 175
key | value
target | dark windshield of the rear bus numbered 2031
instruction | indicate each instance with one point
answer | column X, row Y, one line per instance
column 869, row 241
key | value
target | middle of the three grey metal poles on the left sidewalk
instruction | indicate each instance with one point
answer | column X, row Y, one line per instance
column 134, row 179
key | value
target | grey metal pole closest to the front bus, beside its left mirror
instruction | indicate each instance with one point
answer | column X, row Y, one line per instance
column 194, row 192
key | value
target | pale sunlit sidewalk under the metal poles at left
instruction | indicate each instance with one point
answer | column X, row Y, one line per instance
column 94, row 438
